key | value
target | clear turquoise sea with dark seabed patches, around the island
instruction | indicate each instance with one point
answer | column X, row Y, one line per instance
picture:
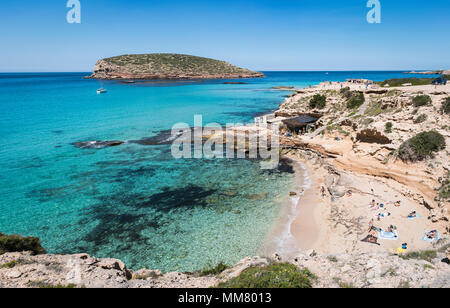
column 135, row 202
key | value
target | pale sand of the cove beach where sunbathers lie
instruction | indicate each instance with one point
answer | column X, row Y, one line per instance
column 336, row 227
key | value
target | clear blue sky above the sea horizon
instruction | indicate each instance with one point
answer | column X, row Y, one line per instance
column 258, row 34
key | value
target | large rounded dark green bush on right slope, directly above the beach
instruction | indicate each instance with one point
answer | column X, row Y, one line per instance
column 421, row 146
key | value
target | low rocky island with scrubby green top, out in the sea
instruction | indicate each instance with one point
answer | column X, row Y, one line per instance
column 167, row 67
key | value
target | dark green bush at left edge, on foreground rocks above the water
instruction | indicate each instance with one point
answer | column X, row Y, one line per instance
column 17, row 243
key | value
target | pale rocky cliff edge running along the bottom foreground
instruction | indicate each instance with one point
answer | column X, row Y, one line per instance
column 416, row 270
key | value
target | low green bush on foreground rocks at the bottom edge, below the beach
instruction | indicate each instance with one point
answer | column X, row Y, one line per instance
column 277, row 275
